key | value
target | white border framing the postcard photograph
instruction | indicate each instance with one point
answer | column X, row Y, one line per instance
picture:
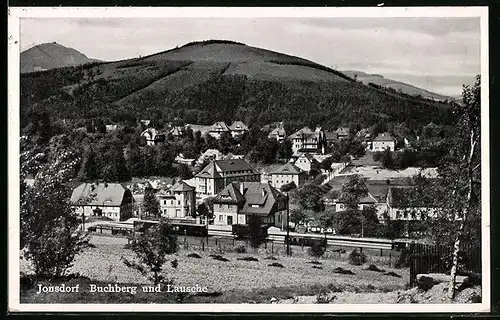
column 14, row 14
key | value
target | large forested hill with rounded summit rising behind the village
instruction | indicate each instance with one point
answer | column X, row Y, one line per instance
column 209, row 81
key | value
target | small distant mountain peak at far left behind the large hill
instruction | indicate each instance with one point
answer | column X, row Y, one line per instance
column 51, row 55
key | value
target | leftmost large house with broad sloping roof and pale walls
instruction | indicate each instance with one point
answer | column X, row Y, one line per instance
column 110, row 200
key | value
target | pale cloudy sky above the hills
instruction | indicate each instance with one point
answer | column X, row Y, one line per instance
column 437, row 54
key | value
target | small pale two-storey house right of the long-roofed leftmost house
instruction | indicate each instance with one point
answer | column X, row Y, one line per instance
column 178, row 201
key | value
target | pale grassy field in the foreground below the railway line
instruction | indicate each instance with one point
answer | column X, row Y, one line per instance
column 233, row 281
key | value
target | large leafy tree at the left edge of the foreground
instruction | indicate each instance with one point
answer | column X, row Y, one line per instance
column 48, row 224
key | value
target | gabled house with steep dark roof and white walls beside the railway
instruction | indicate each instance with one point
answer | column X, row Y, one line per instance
column 239, row 200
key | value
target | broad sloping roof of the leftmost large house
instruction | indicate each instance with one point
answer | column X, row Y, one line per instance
column 102, row 194
